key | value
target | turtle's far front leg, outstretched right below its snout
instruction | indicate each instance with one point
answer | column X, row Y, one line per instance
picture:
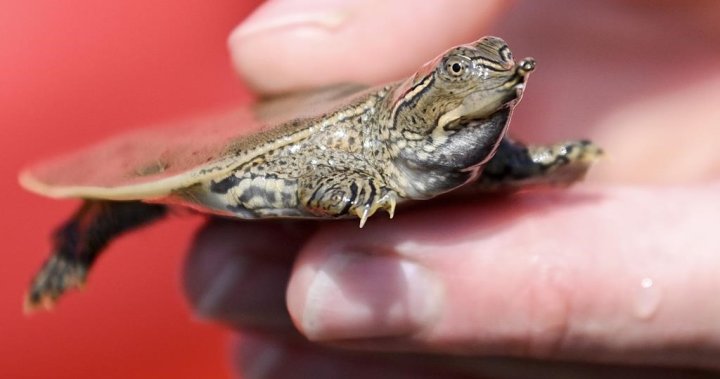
column 517, row 166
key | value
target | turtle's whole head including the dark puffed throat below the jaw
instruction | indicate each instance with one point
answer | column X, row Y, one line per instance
column 454, row 111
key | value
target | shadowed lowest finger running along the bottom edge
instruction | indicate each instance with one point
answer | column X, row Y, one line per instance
column 261, row 356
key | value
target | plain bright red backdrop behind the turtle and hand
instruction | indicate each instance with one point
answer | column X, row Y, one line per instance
column 72, row 73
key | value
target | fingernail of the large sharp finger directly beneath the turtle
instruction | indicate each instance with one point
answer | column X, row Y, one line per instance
column 359, row 295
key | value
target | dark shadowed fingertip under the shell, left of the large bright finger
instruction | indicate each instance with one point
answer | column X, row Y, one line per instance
column 237, row 274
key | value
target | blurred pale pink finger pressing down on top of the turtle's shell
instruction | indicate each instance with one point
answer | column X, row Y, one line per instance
column 300, row 44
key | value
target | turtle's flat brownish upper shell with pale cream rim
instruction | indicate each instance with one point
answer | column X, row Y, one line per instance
column 149, row 164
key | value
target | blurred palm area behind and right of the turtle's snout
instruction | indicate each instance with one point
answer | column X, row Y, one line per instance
column 648, row 98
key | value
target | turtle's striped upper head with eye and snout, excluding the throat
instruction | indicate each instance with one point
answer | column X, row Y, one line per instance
column 465, row 83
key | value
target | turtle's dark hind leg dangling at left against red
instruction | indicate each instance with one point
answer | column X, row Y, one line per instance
column 78, row 243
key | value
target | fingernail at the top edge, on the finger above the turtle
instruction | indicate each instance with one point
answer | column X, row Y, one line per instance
column 324, row 14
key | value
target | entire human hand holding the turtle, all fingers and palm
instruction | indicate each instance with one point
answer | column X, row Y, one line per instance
column 620, row 270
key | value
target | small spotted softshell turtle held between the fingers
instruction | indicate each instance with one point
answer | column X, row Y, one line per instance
column 337, row 153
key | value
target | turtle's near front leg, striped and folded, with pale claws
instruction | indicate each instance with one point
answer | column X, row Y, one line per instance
column 341, row 191
